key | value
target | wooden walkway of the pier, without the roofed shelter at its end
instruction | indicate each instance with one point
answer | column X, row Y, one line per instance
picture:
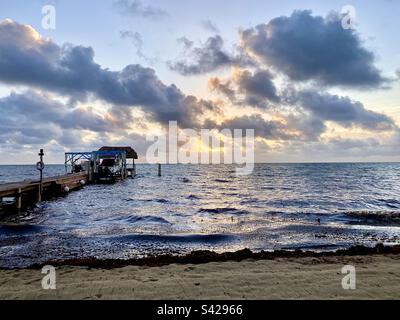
column 28, row 192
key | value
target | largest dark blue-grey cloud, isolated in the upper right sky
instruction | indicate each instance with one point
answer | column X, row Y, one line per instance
column 307, row 47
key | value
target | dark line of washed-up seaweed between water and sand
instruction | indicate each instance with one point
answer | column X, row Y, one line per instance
column 203, row 257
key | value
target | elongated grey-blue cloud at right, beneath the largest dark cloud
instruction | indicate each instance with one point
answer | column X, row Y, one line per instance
column 343, row 111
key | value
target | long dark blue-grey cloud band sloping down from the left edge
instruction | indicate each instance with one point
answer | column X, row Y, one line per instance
column 27, row 59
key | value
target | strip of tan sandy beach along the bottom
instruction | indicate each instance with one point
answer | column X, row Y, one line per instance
column 377, row 277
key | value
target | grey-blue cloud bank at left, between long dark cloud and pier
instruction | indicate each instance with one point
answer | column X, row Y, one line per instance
column 36, row 118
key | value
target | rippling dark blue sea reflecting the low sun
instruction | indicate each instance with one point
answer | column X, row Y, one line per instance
column 207, row 207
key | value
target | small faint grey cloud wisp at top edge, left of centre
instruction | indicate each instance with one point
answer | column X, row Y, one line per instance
column 136, row 9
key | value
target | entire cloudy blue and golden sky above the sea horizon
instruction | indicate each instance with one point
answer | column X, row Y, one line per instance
column 111, row 72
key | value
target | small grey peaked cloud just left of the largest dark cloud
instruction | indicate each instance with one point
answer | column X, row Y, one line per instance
column 209, row 57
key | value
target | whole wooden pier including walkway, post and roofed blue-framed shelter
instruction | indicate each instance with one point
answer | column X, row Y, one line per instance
column 92, row 169
